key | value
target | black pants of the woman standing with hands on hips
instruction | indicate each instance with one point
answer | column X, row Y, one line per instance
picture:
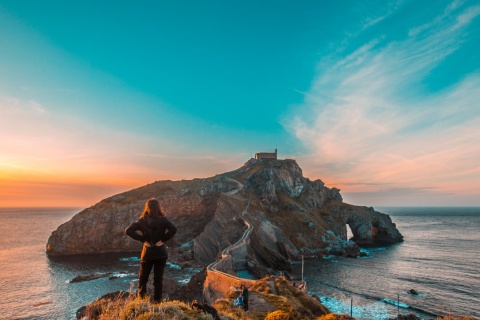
column 145, row 269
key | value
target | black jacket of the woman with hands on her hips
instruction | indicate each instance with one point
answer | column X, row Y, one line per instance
column 152, row 230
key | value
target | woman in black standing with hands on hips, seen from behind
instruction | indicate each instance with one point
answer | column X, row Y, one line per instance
column 155, row 229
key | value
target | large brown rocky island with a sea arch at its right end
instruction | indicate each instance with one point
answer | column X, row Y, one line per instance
column 289, row 214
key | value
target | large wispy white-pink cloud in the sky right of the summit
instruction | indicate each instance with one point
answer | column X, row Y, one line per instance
column 365, row 120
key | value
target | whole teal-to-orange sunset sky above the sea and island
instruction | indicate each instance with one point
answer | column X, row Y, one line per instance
column 380, row 99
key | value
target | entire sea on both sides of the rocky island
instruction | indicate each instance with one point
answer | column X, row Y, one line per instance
column 439, row 259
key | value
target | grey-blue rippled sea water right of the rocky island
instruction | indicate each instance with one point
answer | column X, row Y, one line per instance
column 440, row 259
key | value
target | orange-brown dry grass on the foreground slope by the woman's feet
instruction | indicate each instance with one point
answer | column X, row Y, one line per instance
column 277, row 294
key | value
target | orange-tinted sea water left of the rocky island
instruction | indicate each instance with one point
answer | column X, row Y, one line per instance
column 32, row 286
